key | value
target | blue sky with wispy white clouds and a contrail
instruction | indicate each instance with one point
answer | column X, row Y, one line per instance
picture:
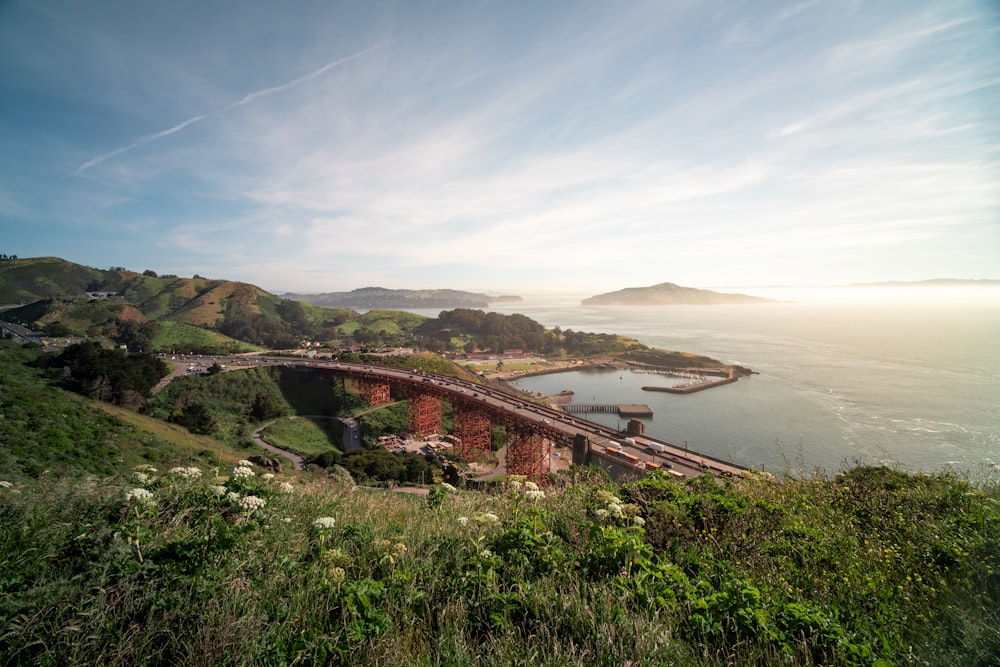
column 509, row 147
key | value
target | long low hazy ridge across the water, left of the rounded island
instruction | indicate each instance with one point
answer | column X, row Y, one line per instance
column 380, row 297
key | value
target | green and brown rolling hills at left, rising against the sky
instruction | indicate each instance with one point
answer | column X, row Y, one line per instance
column 171, row 313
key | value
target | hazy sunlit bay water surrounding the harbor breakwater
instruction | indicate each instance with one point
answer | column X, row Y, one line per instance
column 911, row 385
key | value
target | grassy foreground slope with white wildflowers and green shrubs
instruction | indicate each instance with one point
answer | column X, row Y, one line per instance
column 873, row 567
